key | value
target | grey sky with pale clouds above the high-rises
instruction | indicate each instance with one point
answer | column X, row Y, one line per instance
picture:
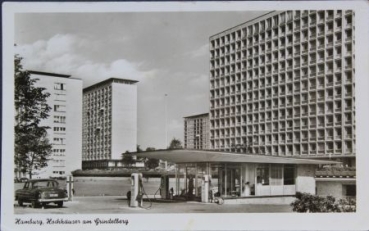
column 167, row 52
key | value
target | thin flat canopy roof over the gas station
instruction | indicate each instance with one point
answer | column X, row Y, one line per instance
column 202, row 156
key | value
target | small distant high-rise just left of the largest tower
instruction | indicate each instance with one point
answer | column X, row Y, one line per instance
column 196, row 131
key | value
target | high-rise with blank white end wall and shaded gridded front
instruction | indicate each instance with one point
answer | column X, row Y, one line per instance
column 109, row 122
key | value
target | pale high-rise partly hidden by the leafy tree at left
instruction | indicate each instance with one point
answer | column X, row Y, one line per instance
column 65, row 122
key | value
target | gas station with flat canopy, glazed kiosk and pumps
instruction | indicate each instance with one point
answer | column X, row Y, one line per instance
column 199, row 175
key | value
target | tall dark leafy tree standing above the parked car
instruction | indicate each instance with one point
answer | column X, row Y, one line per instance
column 31, row 145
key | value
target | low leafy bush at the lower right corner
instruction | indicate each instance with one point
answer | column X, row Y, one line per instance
column 306, row 202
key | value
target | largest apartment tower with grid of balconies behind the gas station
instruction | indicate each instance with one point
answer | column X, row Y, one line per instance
column 283, row 84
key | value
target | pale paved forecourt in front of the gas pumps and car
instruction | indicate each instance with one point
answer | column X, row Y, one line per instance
column 118, row 204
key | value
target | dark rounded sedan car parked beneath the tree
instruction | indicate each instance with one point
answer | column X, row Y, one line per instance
column 41, row 192
